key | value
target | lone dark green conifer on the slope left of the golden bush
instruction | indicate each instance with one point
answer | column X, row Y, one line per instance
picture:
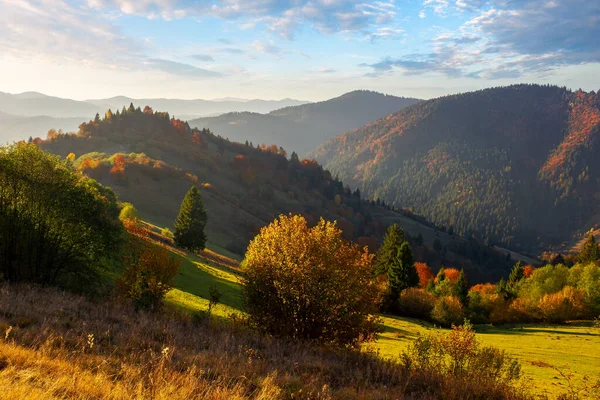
column 190, row 223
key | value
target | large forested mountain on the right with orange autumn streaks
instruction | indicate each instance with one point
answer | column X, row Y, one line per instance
column 515, row 165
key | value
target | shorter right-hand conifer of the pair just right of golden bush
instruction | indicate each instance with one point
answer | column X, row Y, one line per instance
column 402, row 274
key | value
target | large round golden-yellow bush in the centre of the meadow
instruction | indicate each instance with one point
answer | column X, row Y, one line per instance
column 309, row 283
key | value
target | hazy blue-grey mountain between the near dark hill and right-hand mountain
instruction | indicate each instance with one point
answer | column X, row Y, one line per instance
column 302, row 128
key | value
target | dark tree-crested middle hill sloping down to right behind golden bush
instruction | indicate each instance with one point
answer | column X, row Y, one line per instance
column 152, row 160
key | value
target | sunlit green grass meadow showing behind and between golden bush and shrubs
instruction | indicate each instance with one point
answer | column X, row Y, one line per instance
column 545, row 351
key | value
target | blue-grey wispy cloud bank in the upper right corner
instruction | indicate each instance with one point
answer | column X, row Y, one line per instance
column 506, row 39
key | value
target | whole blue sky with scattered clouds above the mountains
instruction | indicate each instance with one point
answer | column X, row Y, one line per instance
column 307, row 50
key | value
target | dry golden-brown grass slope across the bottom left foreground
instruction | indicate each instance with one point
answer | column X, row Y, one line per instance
column 55, row 345
